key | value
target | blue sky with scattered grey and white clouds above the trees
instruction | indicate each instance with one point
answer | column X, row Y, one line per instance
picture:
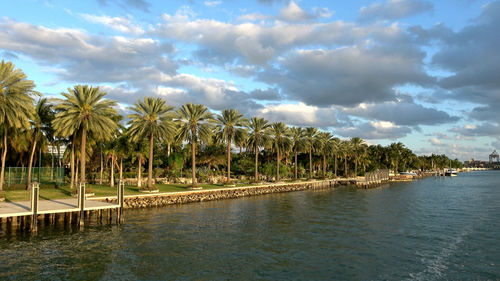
column 426, row 73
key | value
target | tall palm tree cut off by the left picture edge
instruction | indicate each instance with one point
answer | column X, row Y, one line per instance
column 16, row 105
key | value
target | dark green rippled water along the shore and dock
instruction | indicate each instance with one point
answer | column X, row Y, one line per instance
column 425, row 230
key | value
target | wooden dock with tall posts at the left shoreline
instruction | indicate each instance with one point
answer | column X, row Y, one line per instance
column 74, row 210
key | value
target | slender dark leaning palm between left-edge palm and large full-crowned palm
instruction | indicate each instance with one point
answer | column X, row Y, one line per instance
column 40, row 126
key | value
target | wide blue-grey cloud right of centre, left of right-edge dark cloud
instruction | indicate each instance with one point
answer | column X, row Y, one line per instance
column 349, row 75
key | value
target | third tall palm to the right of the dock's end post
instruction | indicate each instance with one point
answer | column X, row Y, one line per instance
column 230, row 124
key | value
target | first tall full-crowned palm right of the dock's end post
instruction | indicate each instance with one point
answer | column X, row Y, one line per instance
column 152, row 118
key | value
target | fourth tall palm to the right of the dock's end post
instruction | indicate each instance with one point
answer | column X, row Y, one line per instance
column 257, row 138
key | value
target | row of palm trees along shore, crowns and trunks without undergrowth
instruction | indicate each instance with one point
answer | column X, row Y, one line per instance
column 87, row 121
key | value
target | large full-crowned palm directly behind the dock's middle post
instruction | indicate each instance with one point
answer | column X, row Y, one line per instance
column 84, row 111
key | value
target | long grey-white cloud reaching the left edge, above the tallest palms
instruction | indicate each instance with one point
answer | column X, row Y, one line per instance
column 80, row 57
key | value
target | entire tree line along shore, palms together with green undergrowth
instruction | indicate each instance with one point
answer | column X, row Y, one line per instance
column 170, row 139
